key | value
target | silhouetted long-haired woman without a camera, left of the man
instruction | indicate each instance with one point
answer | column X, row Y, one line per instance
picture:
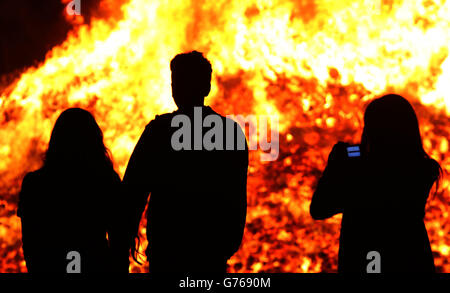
column 71, row 203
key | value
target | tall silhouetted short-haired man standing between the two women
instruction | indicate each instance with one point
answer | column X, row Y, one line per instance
column 197, row 207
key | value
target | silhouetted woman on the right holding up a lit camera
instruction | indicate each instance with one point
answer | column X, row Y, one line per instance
column 382, row 194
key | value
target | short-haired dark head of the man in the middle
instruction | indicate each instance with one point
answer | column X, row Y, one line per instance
column 191, row 79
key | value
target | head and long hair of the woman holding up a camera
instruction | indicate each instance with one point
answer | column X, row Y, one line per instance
column 391, row 132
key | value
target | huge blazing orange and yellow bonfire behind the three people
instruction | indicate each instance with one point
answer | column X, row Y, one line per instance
column 315, row 64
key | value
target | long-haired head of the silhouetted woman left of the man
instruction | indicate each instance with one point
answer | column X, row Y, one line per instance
column 76, row 144
